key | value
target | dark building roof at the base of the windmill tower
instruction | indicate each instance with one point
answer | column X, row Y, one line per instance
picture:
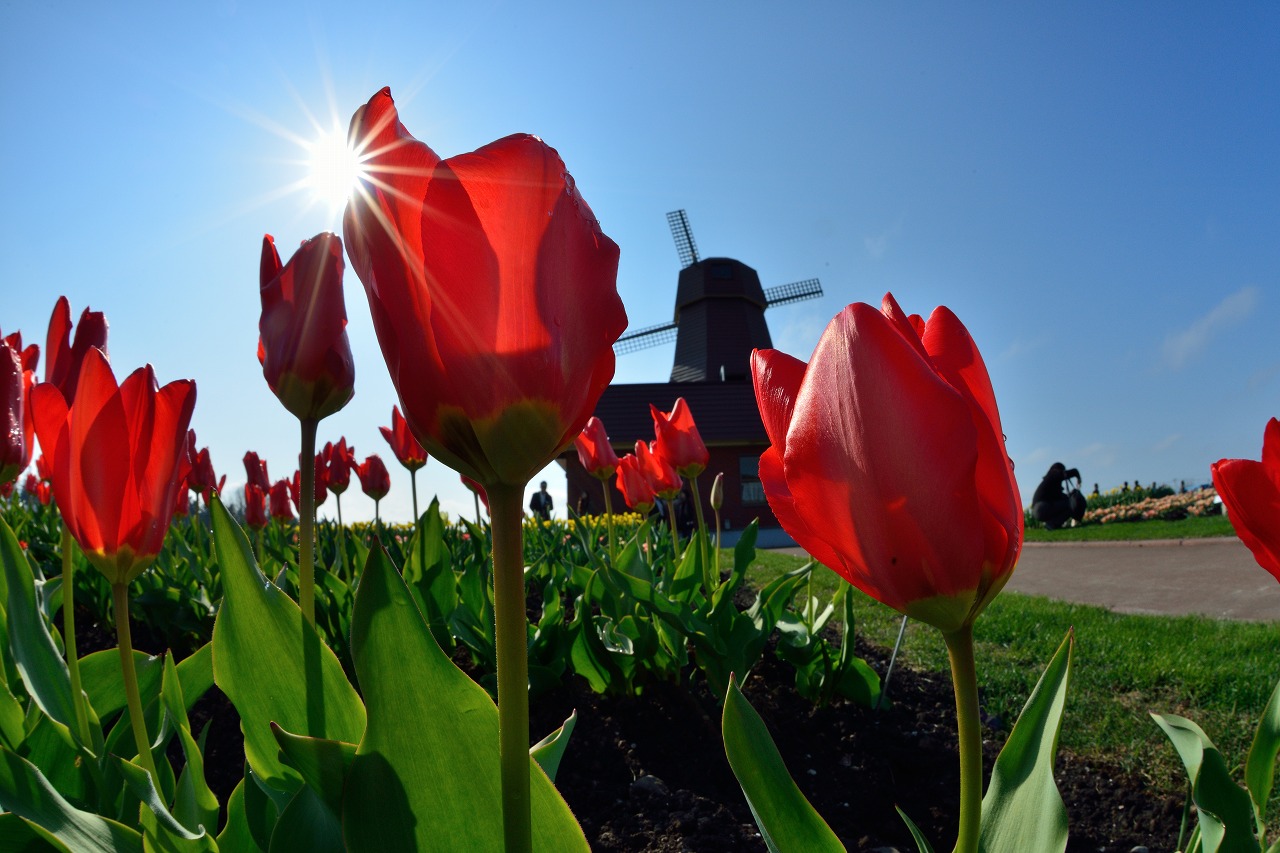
column 725, row 412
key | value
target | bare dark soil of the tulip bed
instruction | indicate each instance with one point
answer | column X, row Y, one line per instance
column 648, row 774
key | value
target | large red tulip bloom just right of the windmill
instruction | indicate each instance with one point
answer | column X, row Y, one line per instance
column 888, row 462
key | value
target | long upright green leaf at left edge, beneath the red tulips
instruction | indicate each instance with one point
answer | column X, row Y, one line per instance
column 39, row 662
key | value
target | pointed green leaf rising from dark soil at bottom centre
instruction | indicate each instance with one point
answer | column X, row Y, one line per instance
column 785, row 818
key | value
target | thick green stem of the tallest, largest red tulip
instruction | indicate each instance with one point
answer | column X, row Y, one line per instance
column 506, row 513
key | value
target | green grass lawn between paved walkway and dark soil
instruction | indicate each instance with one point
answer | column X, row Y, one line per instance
column 1218, row 673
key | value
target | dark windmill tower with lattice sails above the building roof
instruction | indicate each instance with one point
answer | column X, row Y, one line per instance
column 720, row 313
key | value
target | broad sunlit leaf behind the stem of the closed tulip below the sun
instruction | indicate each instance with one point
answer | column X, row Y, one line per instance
column 272, row 664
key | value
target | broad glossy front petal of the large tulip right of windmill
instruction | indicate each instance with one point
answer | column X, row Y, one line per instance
column 879, row 432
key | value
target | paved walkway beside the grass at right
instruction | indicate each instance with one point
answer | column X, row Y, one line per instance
column 1217, row 578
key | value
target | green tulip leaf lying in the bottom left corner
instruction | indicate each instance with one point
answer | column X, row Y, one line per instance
column 25, row 792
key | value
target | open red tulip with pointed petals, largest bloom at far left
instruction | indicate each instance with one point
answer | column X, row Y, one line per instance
column 118, row 458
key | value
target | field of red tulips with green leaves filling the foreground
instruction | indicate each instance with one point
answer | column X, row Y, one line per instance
column 441, row 686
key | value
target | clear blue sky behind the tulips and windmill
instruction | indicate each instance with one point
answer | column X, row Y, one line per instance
column 1094, row 189
